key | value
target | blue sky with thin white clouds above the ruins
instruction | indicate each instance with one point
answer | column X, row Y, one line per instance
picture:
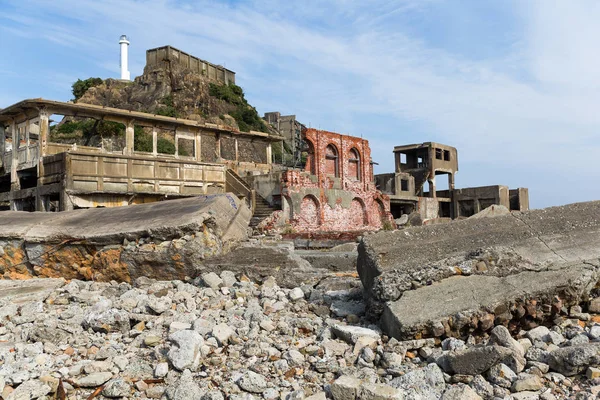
column 513, row 84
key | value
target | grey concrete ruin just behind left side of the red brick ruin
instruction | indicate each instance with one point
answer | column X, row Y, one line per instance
column 291, row 130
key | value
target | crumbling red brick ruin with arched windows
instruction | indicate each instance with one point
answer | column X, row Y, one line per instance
column 336, row 191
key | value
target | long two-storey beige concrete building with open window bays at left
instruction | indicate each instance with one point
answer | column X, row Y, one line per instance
column 37, row 174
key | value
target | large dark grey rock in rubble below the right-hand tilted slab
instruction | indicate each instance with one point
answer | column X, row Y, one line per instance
column 474, row 360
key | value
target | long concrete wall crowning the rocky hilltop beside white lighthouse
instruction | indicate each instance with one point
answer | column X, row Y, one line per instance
column 169, row 54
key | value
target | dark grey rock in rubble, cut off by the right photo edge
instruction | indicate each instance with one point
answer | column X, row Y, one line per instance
column 573, row 360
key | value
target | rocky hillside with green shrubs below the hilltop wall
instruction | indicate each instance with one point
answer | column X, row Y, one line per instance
column 175, row 91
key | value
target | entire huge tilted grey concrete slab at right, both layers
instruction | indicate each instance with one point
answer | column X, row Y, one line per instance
column 474, row 266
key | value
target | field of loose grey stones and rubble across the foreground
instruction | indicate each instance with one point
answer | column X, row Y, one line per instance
column 237, row 339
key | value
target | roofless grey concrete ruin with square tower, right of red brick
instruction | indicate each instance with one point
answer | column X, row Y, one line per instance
column 413, row 186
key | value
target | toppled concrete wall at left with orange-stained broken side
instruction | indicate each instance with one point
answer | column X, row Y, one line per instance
column 164, row 240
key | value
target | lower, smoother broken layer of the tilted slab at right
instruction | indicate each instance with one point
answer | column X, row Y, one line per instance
column 476, row 296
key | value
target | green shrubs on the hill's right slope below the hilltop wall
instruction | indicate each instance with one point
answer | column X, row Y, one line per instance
column 244, row 114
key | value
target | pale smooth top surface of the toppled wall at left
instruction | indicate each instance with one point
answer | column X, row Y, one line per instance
column 163, row 220
